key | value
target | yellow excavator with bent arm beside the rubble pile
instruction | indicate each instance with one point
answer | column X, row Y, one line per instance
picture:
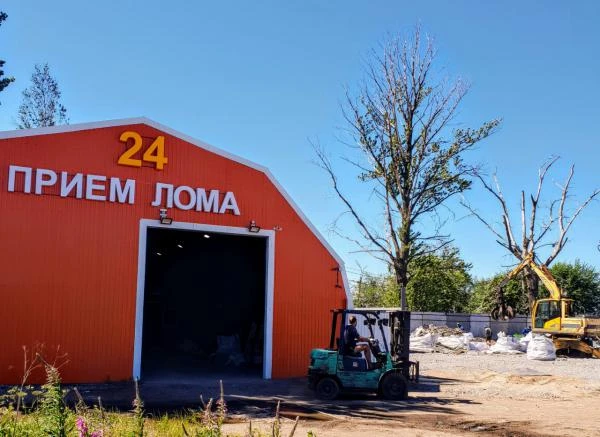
column 554, row 316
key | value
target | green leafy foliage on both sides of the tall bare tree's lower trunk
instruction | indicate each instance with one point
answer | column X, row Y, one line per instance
column 438, row 282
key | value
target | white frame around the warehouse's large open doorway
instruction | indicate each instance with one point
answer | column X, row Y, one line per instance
column 270, row 279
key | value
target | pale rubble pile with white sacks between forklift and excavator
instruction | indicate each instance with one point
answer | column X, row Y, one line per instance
column 443, row 339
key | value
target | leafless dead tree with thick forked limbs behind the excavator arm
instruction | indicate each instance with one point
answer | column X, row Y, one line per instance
column 535, row 234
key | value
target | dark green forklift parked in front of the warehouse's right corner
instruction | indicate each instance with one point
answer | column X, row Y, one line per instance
column 338, row 368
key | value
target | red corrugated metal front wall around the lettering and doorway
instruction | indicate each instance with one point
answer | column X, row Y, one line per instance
column 68, row 271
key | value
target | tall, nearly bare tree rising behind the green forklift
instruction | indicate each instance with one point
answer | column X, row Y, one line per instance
column 400, row 125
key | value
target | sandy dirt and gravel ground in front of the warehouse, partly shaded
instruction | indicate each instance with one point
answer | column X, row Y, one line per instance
column 458, row 395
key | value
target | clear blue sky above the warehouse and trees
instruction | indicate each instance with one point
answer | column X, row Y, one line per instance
column 260, row 79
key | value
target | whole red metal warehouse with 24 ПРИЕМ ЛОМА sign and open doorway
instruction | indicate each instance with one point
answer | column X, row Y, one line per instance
column 133, row 249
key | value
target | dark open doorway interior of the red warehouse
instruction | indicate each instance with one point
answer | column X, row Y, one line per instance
column 204, row 303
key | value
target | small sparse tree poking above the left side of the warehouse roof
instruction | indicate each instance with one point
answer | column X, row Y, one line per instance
column 41, row 104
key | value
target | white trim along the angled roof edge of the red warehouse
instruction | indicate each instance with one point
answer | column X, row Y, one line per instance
column 20, row 133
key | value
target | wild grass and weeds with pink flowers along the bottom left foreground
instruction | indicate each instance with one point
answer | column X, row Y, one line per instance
column 31, row 412
